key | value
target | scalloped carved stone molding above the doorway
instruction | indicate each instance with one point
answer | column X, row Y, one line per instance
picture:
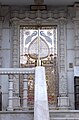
column 38, row 17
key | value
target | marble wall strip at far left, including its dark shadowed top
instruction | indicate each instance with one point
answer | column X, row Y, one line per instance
column 6, row 54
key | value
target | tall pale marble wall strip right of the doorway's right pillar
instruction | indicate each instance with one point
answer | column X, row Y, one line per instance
column 70, row 60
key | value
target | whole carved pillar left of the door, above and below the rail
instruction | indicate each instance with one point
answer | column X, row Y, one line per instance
column 15, row 59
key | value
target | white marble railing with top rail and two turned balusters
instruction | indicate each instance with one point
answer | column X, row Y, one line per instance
column 17, row 71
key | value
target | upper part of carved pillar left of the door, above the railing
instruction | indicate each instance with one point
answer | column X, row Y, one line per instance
column 15, row 56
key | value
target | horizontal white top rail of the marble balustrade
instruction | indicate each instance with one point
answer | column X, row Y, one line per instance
column 16, row 70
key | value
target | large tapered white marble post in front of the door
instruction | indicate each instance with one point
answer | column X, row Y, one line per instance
column 41, row 110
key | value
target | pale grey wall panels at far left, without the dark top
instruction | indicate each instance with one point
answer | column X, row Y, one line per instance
column 5, row 63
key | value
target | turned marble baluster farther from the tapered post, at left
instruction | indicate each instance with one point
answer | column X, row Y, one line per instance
column 10, row 97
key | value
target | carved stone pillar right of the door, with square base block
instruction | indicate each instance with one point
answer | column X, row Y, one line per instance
column 63, row 100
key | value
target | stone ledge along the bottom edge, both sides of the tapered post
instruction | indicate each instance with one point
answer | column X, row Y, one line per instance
column 29, row 115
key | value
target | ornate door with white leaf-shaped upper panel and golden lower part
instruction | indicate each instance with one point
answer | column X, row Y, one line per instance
column 30, row 40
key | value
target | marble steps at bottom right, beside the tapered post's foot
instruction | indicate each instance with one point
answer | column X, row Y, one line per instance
column 64, row 115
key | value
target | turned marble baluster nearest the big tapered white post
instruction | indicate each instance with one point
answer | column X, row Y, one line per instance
column 25, row 88
